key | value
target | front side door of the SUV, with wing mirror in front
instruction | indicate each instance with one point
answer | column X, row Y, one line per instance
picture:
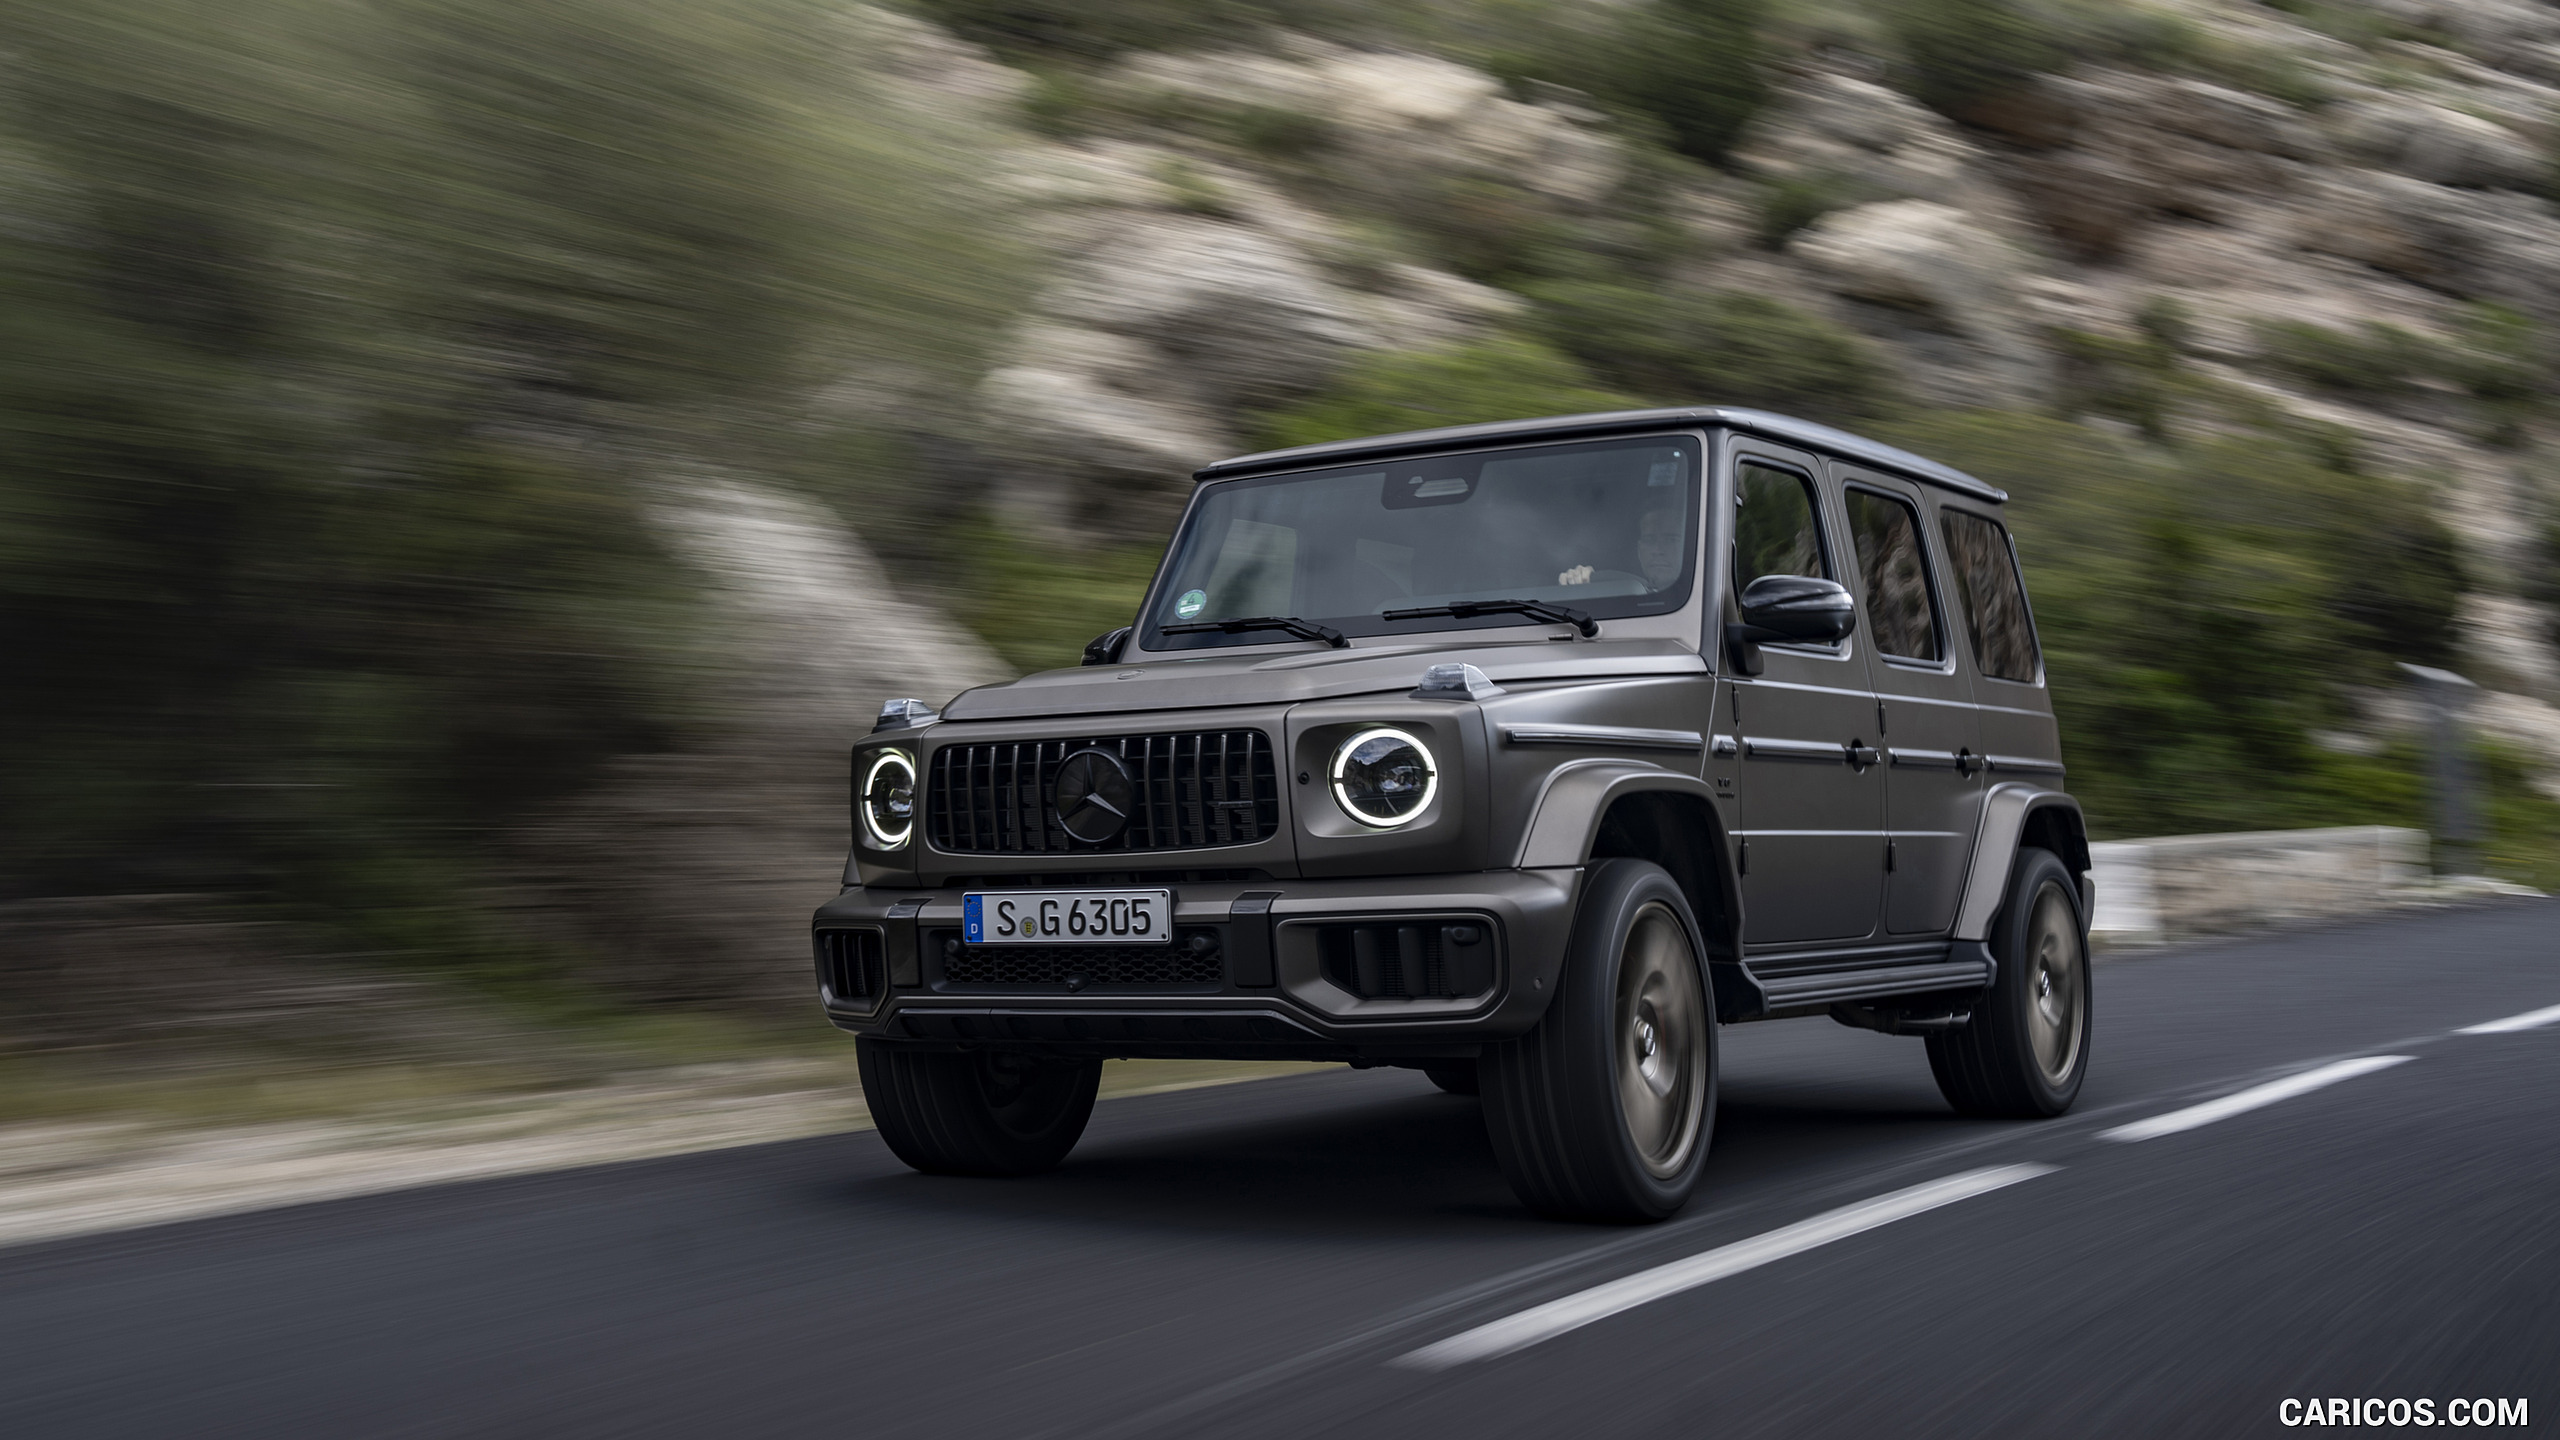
column 1806, row 732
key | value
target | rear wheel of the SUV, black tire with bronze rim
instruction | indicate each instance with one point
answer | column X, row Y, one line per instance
column 2026, row 1049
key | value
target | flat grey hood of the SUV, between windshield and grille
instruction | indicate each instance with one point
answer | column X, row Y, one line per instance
column 1225, row 680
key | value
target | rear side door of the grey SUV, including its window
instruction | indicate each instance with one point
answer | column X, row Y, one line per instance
column 1926, row 719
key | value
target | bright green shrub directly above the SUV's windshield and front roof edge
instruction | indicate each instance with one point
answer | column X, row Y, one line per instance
column 1420, row 391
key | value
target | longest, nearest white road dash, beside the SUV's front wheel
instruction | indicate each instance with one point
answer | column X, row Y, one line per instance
column 1645, row 1288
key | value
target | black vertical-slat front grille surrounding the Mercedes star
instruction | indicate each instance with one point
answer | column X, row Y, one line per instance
column 1194, row 790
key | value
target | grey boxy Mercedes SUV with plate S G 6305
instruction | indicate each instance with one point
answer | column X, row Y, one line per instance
column 1519, row 755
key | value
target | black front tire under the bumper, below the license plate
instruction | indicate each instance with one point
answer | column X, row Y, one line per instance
column 979, row 1113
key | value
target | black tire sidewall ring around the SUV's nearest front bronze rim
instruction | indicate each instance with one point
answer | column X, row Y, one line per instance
column 1588, row 1008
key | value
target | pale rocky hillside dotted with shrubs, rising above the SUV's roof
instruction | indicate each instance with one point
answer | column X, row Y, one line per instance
column 2249, row 219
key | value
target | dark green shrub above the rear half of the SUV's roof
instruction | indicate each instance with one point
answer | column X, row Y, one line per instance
column 1716, row 347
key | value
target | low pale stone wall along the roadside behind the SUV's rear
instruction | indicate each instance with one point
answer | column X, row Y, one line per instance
column 2213, row 885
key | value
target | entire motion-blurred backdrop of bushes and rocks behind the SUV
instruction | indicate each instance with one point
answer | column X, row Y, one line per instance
column 467, row 468
